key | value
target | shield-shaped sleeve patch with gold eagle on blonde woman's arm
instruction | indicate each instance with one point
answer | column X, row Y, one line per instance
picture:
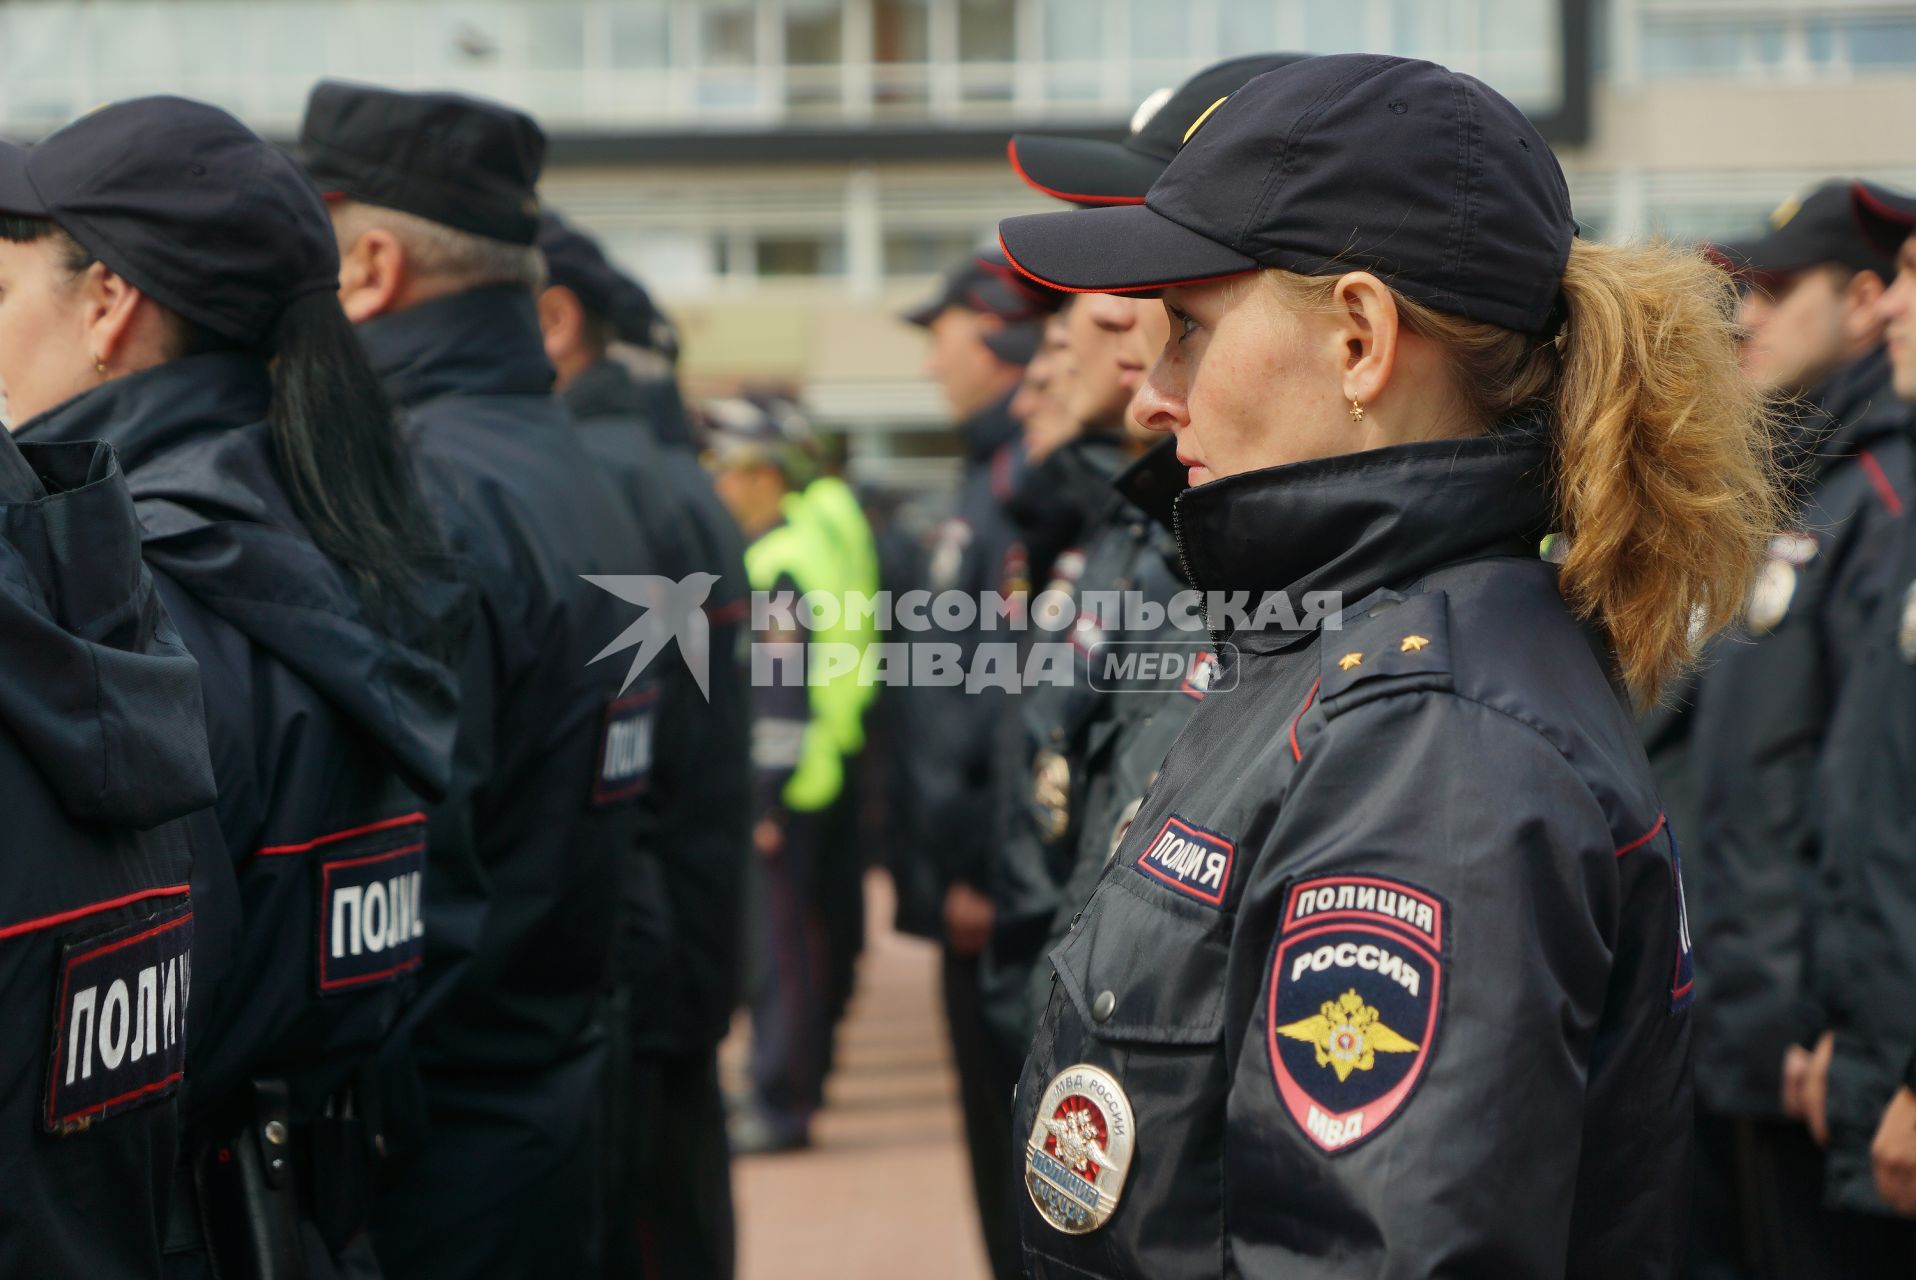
column 1356, row 997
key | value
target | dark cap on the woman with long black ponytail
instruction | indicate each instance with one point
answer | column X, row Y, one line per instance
column 185, row 202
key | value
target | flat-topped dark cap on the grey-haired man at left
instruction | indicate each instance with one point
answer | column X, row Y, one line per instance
column 453, row 160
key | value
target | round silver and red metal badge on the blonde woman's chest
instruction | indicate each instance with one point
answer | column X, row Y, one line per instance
column 1080, row 1149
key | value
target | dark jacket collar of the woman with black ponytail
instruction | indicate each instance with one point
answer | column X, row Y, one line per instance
column 152, row 413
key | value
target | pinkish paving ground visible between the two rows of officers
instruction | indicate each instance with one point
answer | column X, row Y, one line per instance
column 884, row 1191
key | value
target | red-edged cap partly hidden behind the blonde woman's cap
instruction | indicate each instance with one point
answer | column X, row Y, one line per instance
column 1093, row 171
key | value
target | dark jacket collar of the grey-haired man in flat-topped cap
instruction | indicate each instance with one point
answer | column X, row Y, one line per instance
column 480, row 342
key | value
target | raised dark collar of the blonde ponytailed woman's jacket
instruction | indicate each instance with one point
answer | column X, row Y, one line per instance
column 1363, row 522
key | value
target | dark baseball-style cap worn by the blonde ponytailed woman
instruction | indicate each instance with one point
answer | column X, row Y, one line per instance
column 1348, row 162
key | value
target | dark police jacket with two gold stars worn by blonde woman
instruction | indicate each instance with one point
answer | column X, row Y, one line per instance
column 1388, row 976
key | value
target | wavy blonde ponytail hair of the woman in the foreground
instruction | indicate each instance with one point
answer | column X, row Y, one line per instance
column 1664, row 453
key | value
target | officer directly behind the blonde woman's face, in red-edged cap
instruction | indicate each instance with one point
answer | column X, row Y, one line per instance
column 1112, row 344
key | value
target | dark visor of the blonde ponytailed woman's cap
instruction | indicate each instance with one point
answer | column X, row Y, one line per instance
column 1118, row 250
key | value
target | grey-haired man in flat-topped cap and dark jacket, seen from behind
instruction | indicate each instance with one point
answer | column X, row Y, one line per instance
column 436, row 214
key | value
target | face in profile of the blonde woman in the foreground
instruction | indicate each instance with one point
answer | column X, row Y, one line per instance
column 1244, row 382
